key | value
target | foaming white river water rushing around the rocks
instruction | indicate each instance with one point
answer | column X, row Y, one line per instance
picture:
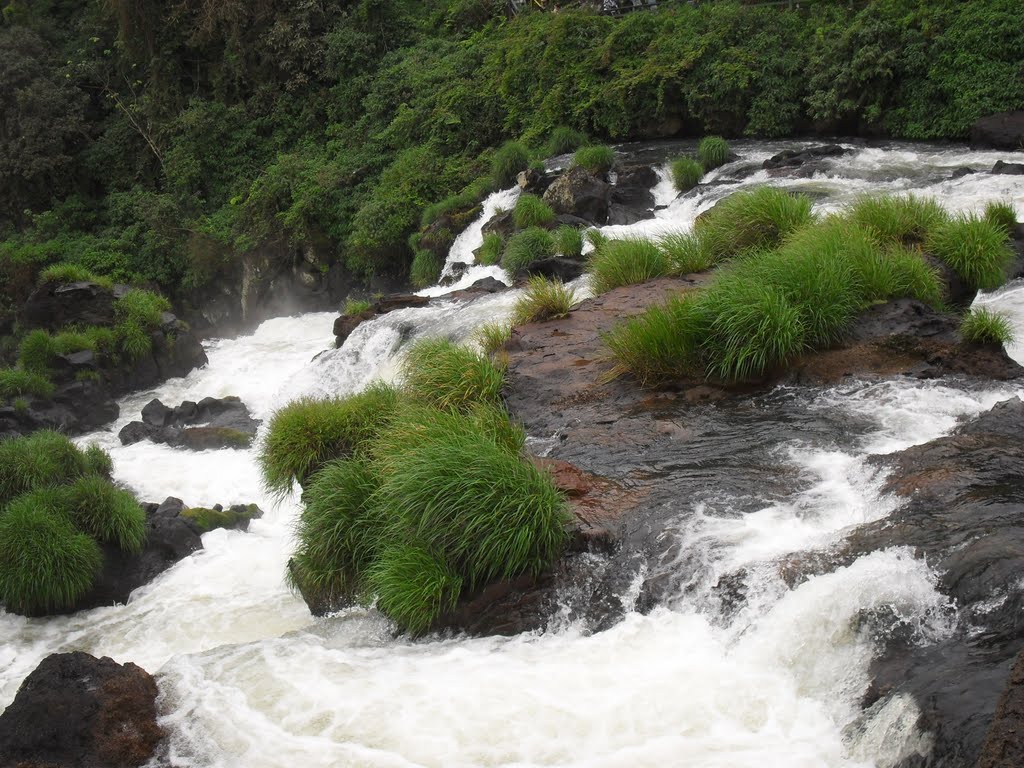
column 250, row 679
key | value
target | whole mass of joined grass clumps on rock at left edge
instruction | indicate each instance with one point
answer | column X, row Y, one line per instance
column 57, row 506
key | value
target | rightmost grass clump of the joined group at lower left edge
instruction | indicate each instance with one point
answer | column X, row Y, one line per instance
column 108, row 514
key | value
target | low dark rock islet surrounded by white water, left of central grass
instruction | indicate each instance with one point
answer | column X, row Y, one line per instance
column 227, row 424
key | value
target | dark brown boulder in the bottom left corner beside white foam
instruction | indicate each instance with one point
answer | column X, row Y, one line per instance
column 76, row 710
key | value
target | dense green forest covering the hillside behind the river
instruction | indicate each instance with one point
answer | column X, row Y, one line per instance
column 159, row 144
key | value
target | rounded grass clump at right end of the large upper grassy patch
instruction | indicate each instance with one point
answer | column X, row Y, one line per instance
column 976, row 249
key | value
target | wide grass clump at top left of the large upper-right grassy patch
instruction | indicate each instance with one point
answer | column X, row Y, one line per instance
column 750, row 221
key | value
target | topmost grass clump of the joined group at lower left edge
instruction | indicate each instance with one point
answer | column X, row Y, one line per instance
column 45, row 458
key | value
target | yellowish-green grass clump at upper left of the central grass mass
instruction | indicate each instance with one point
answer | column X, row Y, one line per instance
column 308, row 434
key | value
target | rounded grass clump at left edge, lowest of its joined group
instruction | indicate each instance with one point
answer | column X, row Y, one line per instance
column 46, row 564
